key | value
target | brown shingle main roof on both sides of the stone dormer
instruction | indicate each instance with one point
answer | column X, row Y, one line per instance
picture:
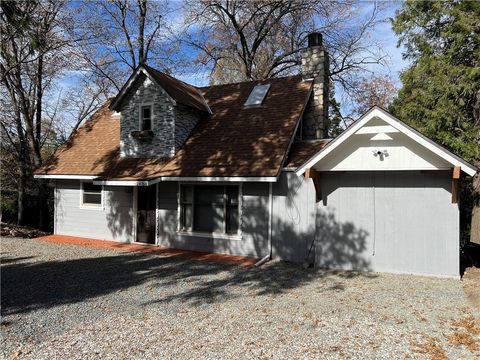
column 233, row 141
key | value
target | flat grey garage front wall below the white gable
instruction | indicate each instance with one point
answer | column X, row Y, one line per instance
column 388, row 221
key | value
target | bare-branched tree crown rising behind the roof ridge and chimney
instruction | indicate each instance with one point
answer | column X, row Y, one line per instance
column 245, row 40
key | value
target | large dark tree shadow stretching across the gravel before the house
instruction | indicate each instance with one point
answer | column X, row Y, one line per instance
column 26, row 287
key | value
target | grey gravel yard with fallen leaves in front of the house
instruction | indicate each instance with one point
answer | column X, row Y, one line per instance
column 64, row 301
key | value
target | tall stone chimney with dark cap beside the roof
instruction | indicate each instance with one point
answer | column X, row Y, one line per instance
column 315, row 67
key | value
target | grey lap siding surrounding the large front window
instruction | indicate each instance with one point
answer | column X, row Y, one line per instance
column 254, row 223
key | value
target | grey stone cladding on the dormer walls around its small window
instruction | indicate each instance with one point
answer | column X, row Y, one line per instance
column 171, row 124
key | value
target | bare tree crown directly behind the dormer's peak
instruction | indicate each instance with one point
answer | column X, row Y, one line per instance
column 128, row 33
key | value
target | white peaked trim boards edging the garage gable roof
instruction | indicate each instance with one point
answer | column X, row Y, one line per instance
column 398, row 125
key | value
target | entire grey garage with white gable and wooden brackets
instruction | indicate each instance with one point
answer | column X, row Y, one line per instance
column 386, row 200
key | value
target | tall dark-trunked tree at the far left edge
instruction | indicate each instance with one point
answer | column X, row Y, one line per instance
column 27, row 66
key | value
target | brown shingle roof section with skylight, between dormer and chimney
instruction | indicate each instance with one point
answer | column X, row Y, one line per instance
column 240, row 141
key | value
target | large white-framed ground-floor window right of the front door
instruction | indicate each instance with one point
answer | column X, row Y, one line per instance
column 212, row 209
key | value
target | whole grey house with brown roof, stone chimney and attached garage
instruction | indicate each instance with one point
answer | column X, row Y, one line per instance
column 245, row 169
